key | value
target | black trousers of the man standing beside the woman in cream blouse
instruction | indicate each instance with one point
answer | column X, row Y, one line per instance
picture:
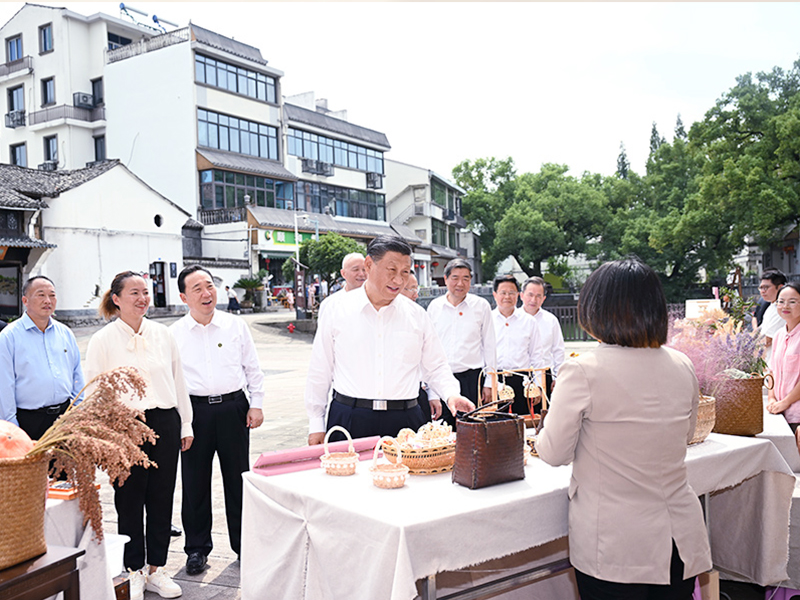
column 219, row 429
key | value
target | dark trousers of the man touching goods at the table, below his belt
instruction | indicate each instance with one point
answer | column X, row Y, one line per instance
column 365, row 422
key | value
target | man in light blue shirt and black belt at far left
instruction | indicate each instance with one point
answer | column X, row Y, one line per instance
column 40, row 363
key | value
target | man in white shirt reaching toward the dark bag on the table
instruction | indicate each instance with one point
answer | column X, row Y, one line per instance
column 374, row 346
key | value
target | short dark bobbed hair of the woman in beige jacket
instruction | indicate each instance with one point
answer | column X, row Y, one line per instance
column 623, row 303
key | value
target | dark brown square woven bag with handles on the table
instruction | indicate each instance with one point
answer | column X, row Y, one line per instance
column 489, row 448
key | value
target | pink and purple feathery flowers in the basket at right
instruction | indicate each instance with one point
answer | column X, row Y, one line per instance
column 719, row 346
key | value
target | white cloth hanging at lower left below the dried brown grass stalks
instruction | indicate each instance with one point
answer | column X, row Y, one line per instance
column 63, row 526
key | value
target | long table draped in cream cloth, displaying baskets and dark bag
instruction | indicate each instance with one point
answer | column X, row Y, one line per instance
column 319, row 537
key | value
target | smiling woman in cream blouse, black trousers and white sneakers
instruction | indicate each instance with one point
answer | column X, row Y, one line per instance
column 131, row 340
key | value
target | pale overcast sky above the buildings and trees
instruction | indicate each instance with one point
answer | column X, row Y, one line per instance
column 540, row 82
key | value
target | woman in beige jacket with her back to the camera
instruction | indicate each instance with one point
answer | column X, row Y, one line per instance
column 623, row 415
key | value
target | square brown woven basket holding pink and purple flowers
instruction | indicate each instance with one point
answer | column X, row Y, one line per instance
column 740, row 406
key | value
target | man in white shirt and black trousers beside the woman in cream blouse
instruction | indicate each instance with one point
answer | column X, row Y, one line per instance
column 219, row 361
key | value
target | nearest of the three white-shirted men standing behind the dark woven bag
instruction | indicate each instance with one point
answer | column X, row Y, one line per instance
column 464, row 324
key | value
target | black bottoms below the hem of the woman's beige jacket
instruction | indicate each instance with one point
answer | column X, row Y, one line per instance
column 591, row 588
